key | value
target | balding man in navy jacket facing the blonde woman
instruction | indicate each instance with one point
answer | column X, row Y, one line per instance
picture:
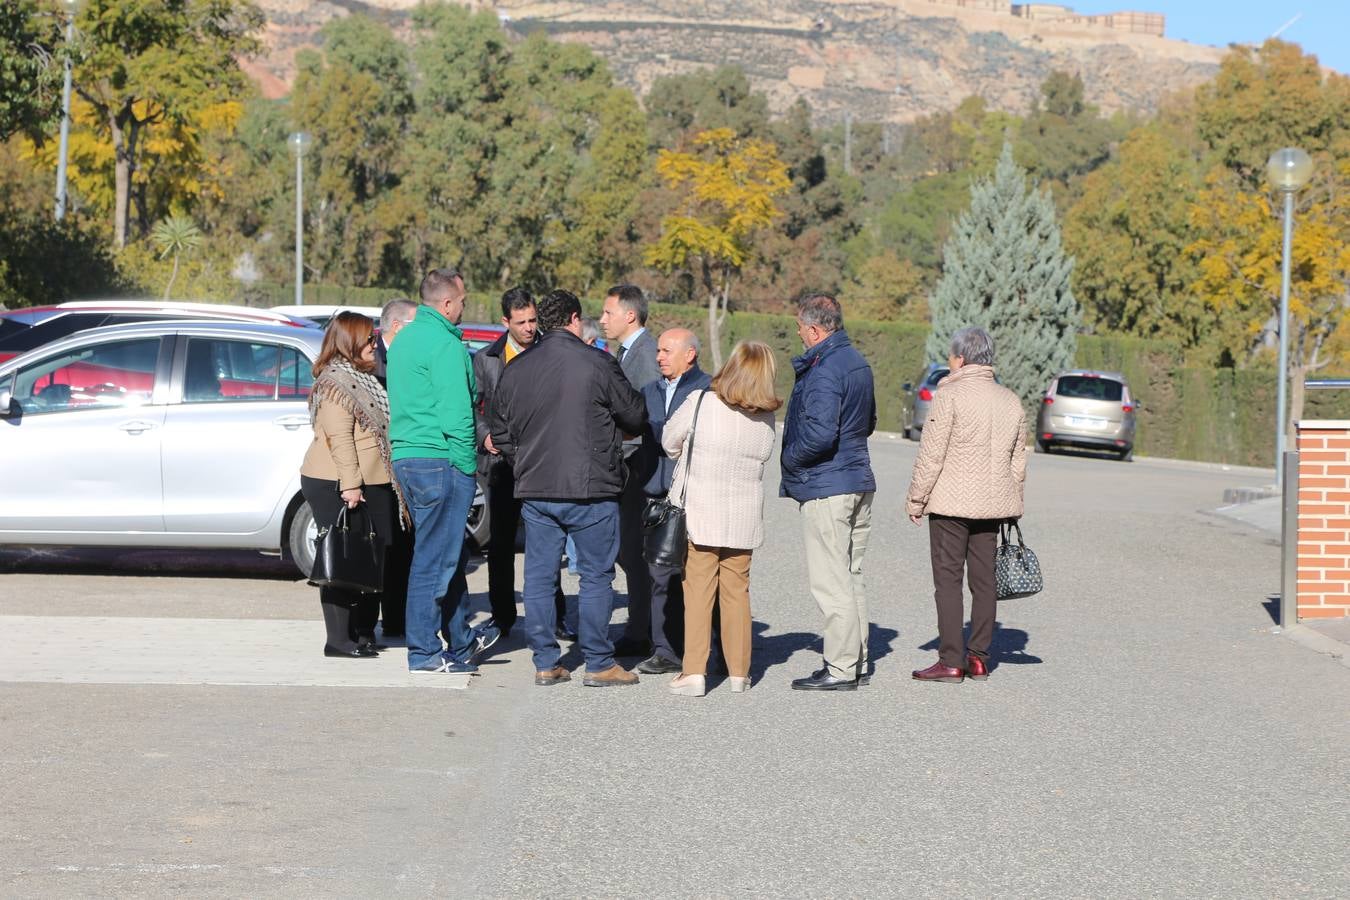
column 677, row 356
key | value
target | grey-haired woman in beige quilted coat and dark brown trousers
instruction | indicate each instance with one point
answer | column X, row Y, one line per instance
column 969, row 481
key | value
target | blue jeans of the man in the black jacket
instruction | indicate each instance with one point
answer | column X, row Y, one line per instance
column 593, row 526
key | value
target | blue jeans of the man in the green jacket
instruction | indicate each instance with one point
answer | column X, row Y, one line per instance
column 438, row 496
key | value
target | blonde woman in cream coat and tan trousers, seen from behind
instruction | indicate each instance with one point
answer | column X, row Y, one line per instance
column 726, row 437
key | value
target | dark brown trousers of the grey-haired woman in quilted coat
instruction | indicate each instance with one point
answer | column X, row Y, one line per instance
column 967, row 544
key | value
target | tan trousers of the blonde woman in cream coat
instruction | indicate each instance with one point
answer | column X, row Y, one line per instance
column 718, row 575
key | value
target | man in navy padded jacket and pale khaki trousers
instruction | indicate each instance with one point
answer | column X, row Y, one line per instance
column 828, row 472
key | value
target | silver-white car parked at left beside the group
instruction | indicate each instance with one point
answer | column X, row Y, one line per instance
column 169, row 434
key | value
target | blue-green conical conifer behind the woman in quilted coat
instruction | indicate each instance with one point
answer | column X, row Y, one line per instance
column 1004, row 269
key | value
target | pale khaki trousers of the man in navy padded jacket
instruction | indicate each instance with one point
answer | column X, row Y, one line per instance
column 836, row 531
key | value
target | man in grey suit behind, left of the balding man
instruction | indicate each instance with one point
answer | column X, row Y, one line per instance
column 624, row 322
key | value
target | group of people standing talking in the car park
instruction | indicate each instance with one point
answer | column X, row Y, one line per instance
column 576, row 442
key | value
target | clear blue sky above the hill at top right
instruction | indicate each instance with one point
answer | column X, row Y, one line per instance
column 1324, row 30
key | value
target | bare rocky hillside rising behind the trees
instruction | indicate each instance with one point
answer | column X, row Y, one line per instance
column 881, row 60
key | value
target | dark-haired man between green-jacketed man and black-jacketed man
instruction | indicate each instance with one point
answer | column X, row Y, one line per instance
column 522, row 322
